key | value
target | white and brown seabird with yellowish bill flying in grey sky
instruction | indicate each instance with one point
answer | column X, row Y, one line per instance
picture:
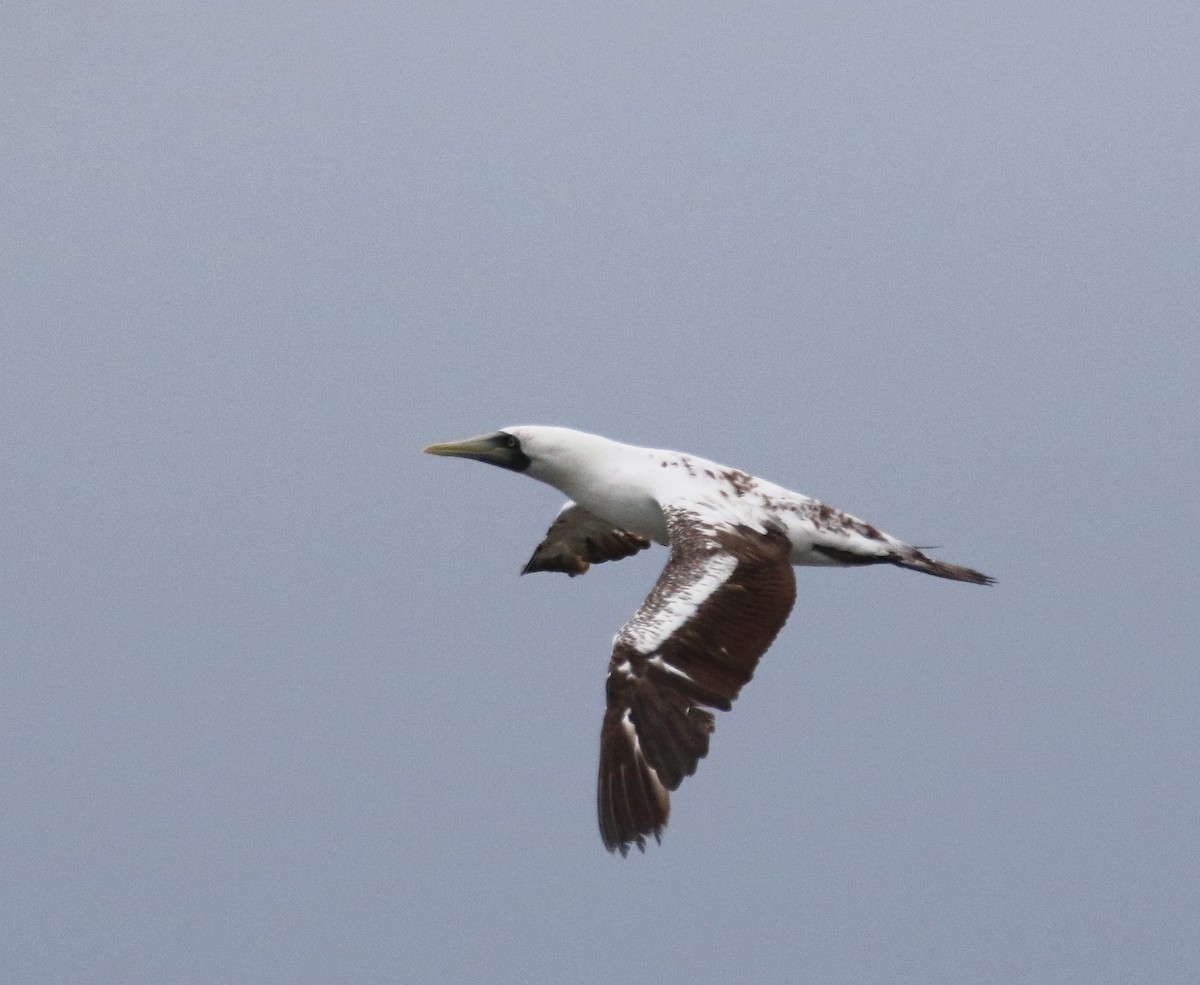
column 718, row 605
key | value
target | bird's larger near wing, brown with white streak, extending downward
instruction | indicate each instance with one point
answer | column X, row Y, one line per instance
column 718, row 605
